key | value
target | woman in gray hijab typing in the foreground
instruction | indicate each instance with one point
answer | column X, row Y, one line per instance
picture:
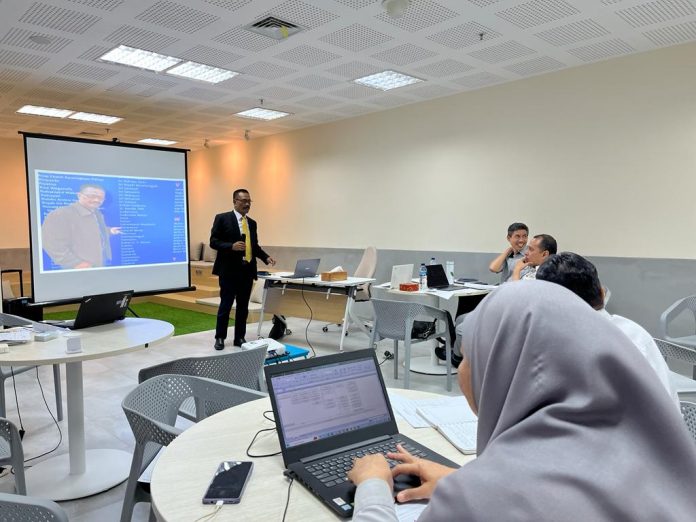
column 571, row 425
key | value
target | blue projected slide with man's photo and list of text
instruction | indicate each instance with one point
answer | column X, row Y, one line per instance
column 93, row 221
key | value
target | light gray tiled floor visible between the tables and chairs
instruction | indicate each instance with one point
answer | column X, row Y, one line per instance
column 107, row 381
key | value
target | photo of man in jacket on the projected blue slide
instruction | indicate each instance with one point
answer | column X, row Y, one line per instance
column 76, row 235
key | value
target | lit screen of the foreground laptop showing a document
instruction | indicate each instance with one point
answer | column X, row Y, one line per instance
column 329, row 400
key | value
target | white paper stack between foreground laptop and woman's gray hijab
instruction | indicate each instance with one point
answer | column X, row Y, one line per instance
column 452, row 417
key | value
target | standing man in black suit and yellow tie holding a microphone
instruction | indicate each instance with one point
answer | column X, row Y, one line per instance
column 234, row 237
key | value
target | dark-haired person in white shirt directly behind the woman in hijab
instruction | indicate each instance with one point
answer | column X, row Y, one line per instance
column 580, row 276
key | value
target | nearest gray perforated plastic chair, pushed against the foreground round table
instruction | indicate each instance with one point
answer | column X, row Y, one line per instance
column 151, row 410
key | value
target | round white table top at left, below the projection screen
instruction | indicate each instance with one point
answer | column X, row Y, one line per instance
column 98, row 341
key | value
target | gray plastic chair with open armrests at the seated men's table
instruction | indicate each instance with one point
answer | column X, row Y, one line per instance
column 394, row 320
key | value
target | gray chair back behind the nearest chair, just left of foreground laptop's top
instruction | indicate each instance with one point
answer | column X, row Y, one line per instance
column 240, row 368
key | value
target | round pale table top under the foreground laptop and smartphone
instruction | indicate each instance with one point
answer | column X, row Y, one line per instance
column 186, row 466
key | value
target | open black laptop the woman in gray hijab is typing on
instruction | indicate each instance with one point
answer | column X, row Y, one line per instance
column 329, row 410
